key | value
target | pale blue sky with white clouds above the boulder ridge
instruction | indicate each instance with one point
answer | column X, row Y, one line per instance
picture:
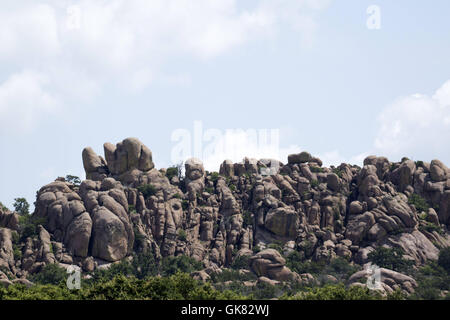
column 212, row 78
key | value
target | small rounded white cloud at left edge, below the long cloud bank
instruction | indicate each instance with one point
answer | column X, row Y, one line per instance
column 24, row 100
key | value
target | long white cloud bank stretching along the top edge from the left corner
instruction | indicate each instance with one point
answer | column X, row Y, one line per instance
column 134, row 38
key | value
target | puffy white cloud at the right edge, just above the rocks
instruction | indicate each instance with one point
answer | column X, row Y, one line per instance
column 416, row 126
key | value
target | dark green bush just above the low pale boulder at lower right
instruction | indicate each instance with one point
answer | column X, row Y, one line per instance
column 390, row 258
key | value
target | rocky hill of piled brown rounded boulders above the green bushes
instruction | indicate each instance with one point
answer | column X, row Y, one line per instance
column 126, row 205
